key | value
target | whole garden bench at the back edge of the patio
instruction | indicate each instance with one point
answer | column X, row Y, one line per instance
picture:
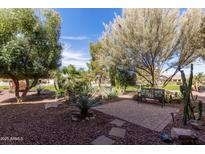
column 152, row 93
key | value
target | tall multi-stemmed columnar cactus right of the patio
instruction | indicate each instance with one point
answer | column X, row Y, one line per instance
column 186, row 90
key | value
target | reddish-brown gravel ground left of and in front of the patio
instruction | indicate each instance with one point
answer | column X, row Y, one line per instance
column 30, row 123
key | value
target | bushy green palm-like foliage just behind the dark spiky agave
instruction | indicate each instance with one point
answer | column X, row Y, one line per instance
column 70, row 82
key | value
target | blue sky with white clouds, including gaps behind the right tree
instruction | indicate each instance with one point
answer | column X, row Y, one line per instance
column 81, row 26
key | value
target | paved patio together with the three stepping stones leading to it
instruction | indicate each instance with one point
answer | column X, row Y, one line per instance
column 147, row 115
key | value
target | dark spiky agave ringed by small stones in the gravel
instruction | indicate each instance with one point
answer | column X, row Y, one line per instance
column 85, row 102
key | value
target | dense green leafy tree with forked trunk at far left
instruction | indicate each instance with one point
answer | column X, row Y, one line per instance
column 29, row 45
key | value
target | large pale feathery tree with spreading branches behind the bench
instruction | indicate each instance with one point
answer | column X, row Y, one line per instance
column 151, row 41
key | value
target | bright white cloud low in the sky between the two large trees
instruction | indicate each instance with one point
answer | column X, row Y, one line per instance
column 76, row 58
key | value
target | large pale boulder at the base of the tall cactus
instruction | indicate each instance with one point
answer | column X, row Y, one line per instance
column 182, row 133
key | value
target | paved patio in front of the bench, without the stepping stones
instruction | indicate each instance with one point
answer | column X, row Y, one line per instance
column 151, row 116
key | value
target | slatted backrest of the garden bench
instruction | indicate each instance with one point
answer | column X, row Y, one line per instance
column 152, row 92
